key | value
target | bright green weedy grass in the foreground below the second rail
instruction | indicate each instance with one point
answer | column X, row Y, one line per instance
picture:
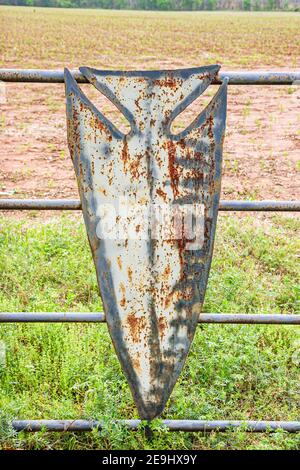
column 71, row 371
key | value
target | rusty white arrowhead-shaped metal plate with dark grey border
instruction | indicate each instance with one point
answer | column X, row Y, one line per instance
column 152, row 281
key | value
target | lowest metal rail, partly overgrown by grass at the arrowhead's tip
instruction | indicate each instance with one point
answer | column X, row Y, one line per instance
column 172, row 425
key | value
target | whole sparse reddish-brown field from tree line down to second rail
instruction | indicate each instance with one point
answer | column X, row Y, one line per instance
column 261, row 153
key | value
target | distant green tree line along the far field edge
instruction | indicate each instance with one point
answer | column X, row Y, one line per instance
column 177, row 5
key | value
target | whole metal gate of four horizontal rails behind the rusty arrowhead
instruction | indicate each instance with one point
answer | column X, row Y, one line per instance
column 235, row 78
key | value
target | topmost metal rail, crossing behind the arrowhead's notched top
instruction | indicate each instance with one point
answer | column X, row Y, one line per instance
column 235, row 78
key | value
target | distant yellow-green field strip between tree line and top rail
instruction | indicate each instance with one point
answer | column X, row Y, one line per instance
column 146, row 39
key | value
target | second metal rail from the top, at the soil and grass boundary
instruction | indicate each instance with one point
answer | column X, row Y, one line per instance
column 74, row 204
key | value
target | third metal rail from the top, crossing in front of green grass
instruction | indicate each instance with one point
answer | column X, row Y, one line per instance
column 98, row 317
